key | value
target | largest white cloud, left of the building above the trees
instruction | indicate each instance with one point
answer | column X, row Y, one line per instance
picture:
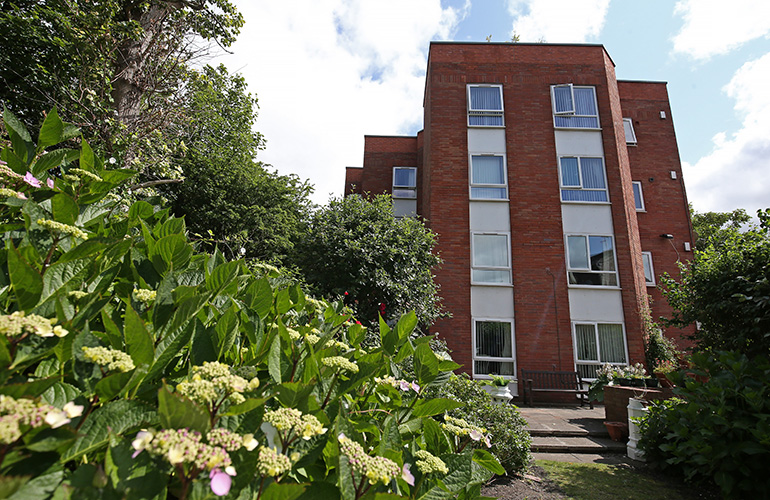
column 326, row 72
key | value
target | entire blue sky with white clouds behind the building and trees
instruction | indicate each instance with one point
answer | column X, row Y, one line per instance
column 328, row 72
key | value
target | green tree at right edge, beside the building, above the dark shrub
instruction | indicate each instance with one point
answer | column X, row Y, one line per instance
column 726, row 290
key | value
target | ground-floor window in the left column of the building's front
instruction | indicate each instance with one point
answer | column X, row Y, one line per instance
column 494, row 348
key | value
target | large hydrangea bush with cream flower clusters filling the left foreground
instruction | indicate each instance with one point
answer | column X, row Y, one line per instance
column 133, row 366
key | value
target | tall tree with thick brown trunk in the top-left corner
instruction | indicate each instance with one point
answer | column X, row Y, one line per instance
column 113, row 67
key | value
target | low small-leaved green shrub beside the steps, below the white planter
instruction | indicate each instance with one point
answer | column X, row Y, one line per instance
column 510, row 439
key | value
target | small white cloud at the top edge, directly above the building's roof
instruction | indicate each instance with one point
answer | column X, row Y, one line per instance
column 558, row 21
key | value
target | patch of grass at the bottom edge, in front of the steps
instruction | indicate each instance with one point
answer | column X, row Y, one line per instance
column 592, row 481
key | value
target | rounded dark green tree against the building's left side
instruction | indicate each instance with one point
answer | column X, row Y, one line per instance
column 355, row 248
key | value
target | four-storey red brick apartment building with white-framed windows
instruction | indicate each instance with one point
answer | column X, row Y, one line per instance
column 556, row 192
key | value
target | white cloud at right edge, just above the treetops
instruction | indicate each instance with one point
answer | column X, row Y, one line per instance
column 736, row 174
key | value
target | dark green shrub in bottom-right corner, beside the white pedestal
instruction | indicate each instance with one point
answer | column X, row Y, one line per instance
column 720, row 429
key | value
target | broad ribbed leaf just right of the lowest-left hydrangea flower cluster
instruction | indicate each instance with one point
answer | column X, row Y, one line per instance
column 116, row 417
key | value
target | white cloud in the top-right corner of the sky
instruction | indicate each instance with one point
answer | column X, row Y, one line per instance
column 713, row 27
